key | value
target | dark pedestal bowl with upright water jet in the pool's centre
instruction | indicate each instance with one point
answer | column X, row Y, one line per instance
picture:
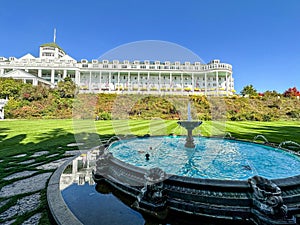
column 189, row 125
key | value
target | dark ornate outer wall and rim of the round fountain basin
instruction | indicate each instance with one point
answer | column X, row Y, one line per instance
column 158, row 193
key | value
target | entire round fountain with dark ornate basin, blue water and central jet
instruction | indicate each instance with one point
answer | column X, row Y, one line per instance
column 220, row 183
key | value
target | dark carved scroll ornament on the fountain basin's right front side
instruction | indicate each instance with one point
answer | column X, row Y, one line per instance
column 267, row 197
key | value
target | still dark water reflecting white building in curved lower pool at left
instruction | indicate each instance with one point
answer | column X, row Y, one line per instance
column 86, row 203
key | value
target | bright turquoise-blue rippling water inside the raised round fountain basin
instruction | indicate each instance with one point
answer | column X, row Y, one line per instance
column 212, row 158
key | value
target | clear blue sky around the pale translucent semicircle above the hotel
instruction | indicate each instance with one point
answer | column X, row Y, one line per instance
column 260, row 38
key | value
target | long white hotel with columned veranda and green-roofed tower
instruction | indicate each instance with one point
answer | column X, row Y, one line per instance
column 53, row 65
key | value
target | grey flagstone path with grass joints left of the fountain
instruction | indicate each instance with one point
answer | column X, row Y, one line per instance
column 22, row 193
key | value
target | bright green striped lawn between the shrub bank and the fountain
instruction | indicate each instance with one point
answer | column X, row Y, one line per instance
column 18, row 136
